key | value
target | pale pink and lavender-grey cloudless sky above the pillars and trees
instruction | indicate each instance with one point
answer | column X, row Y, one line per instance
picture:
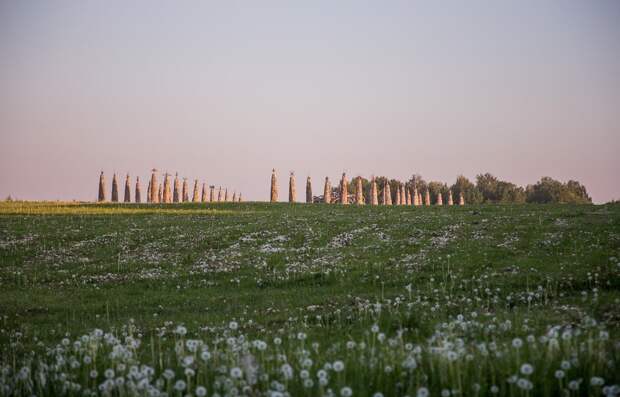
column 225, row 91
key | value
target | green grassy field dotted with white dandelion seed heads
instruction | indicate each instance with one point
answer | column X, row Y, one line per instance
column 303, row 300
